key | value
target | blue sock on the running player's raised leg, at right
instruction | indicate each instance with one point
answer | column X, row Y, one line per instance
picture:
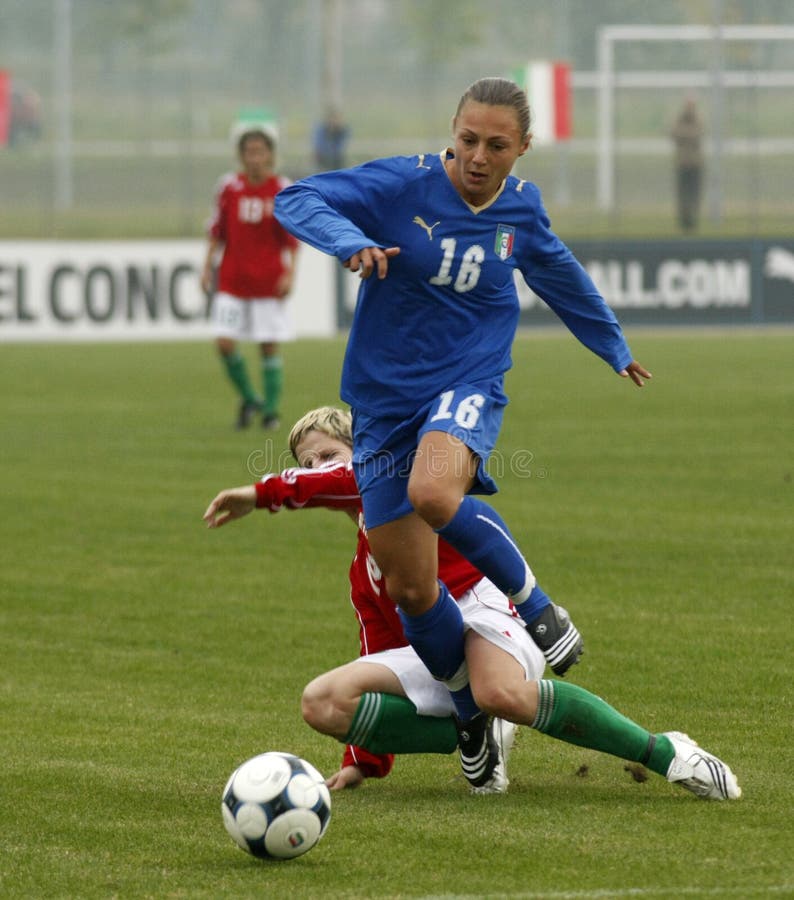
column 480, row 534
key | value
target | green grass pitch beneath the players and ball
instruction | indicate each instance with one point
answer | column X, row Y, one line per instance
column 142, row 657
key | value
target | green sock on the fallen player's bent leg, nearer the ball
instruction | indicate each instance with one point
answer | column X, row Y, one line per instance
column 386, row 723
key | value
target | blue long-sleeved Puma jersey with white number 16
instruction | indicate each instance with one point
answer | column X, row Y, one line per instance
column 447, row 311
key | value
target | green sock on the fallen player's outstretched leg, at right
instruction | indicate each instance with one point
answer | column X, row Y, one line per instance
column 572, row 714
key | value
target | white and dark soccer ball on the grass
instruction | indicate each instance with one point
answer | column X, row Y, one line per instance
column 276, row 806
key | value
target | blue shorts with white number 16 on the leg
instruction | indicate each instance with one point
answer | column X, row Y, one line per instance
column 384, row 448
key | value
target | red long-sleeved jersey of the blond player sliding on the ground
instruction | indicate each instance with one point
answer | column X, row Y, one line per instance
column 334, row 487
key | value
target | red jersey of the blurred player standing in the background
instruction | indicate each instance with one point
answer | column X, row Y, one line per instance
column 254, row 241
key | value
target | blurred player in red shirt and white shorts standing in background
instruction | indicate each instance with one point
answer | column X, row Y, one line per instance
column 255, row 273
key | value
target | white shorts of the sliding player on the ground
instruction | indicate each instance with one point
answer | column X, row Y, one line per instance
column 487, row 611
